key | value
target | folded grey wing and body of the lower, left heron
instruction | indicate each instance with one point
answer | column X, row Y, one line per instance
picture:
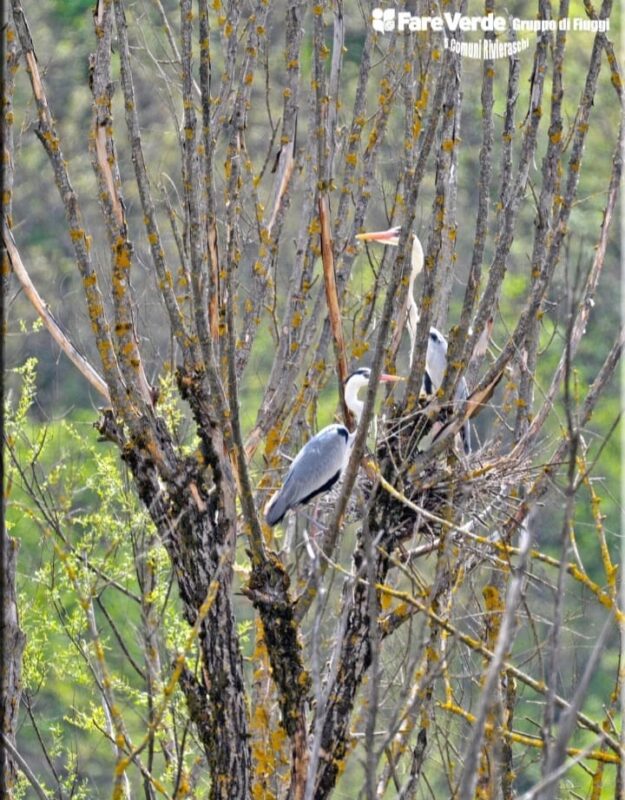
column 316, row 468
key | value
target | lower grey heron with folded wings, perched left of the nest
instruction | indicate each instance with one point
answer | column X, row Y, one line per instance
column 322, row 460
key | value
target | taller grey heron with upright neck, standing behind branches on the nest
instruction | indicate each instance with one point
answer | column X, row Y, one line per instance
column 436, row 355
